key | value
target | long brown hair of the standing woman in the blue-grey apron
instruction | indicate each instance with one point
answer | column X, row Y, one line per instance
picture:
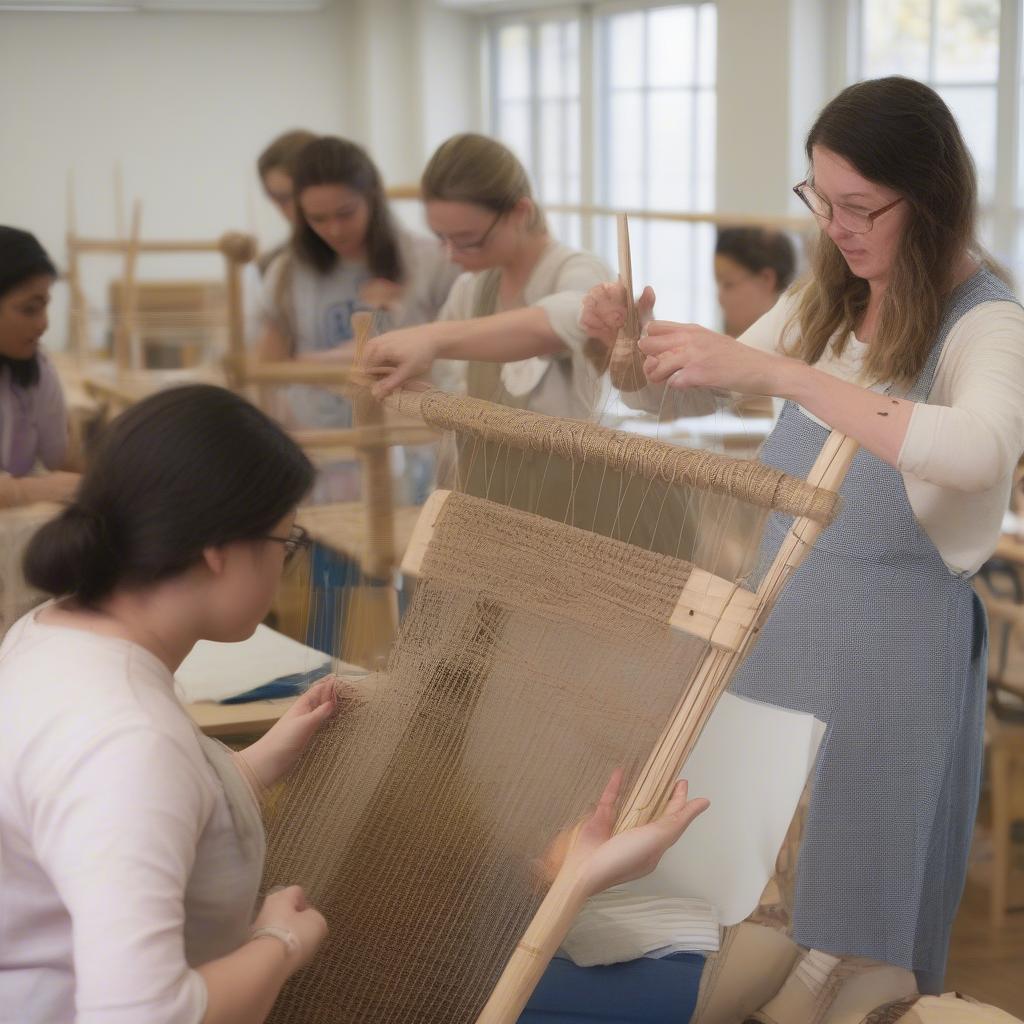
column 899, row 134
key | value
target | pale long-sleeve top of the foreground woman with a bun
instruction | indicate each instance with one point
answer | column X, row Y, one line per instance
column 121, row 867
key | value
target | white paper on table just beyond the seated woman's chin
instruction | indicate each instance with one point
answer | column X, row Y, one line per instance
column 216, row 671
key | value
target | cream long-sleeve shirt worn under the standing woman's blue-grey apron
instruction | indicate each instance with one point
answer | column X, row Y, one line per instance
column 964, row 441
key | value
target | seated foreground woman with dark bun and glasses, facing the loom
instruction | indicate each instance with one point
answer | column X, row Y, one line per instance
column 133, row 845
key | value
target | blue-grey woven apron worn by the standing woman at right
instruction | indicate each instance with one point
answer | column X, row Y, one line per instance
column 877, row 637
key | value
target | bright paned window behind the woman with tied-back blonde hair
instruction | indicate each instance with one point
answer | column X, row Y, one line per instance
column 615, row 107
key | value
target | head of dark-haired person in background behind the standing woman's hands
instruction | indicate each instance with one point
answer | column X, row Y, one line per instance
column 753, row 268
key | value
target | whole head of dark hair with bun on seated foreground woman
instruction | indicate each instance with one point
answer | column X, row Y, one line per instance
column 187, row 470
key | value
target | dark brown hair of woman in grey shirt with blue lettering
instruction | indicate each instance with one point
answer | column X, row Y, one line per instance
column 332, row 161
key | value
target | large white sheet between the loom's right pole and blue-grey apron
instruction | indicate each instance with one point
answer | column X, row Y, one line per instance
column 752, row 762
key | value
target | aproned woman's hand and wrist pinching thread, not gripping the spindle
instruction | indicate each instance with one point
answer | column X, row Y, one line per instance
column 689, row 356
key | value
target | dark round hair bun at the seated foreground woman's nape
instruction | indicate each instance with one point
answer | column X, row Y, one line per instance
column 71, row 556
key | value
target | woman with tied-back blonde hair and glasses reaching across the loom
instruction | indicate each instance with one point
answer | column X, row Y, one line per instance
column 511, row 319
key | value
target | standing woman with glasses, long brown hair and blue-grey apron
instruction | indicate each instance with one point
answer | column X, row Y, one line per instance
column 905, row 337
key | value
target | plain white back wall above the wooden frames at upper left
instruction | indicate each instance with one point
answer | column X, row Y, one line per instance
column 184, row 103
